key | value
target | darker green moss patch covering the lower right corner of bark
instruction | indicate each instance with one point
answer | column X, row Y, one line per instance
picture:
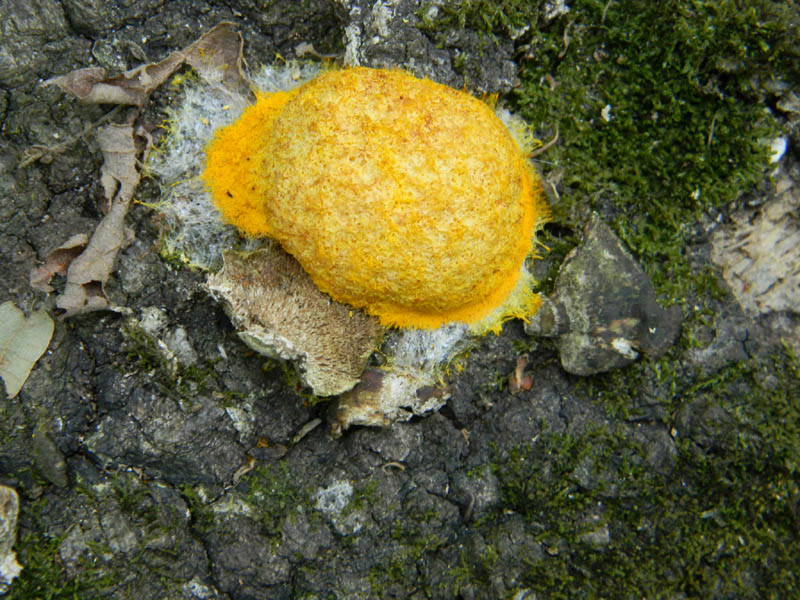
column 723, row 523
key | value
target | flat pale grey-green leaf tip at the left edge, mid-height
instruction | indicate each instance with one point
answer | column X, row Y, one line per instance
column 22, row 342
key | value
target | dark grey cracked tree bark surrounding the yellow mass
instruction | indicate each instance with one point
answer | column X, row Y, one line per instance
column 178, row 477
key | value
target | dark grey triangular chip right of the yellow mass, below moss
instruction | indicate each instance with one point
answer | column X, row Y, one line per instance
column 604, row 312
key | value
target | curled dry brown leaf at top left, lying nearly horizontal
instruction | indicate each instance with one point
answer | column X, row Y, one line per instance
column 213, row 56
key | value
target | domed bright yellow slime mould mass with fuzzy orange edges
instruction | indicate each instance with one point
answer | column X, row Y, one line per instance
column 397, row 195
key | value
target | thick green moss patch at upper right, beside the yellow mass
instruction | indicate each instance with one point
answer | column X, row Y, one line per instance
column 680, row 84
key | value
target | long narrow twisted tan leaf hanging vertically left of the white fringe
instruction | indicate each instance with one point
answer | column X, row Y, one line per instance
column 88, row 272
